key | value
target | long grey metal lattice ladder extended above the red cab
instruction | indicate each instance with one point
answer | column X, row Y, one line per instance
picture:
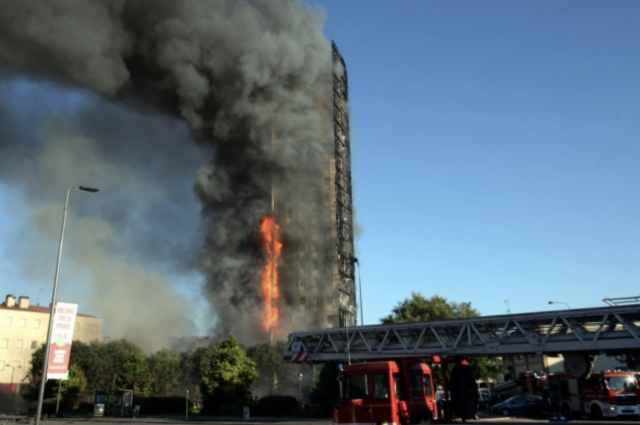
column 599, row 330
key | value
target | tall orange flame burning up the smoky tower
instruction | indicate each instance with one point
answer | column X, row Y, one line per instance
column 269, row 280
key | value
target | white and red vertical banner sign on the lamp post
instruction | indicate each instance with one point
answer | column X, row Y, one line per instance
column 64, row 321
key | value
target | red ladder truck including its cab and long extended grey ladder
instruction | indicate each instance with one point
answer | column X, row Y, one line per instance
column 389, row 381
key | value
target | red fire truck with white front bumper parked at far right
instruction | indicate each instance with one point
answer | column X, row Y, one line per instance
column 609, row 394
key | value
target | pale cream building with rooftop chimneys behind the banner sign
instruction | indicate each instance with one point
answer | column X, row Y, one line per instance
column 23, row 328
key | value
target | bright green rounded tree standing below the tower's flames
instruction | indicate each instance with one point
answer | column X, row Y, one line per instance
column 227, row 378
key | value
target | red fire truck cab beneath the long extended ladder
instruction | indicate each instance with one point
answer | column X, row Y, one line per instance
column 400, row 392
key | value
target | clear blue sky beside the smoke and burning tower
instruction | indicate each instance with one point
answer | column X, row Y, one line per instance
column 495, row 151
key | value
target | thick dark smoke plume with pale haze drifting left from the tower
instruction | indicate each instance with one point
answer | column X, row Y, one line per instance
column 169, row 107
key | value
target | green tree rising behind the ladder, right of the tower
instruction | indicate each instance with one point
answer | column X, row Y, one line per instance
column 420, row 309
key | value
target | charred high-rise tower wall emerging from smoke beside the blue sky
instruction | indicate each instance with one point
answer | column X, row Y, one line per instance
column 321, row 268
